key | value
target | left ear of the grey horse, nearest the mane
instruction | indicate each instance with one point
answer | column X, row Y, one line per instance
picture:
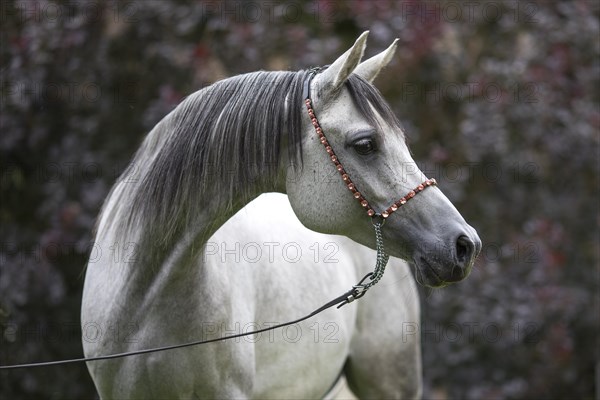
column 332, row 79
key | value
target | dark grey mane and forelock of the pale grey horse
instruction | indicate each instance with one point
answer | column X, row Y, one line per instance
column 217, row 144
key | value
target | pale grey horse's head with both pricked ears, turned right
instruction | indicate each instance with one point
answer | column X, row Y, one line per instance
column 367, row 139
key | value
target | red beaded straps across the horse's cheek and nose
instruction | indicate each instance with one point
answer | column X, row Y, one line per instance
column 346, row 178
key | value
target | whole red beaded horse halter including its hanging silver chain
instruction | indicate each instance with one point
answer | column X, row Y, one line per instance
column 378, row 219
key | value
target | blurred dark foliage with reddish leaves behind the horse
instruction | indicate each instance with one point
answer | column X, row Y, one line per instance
column 500, row 100
